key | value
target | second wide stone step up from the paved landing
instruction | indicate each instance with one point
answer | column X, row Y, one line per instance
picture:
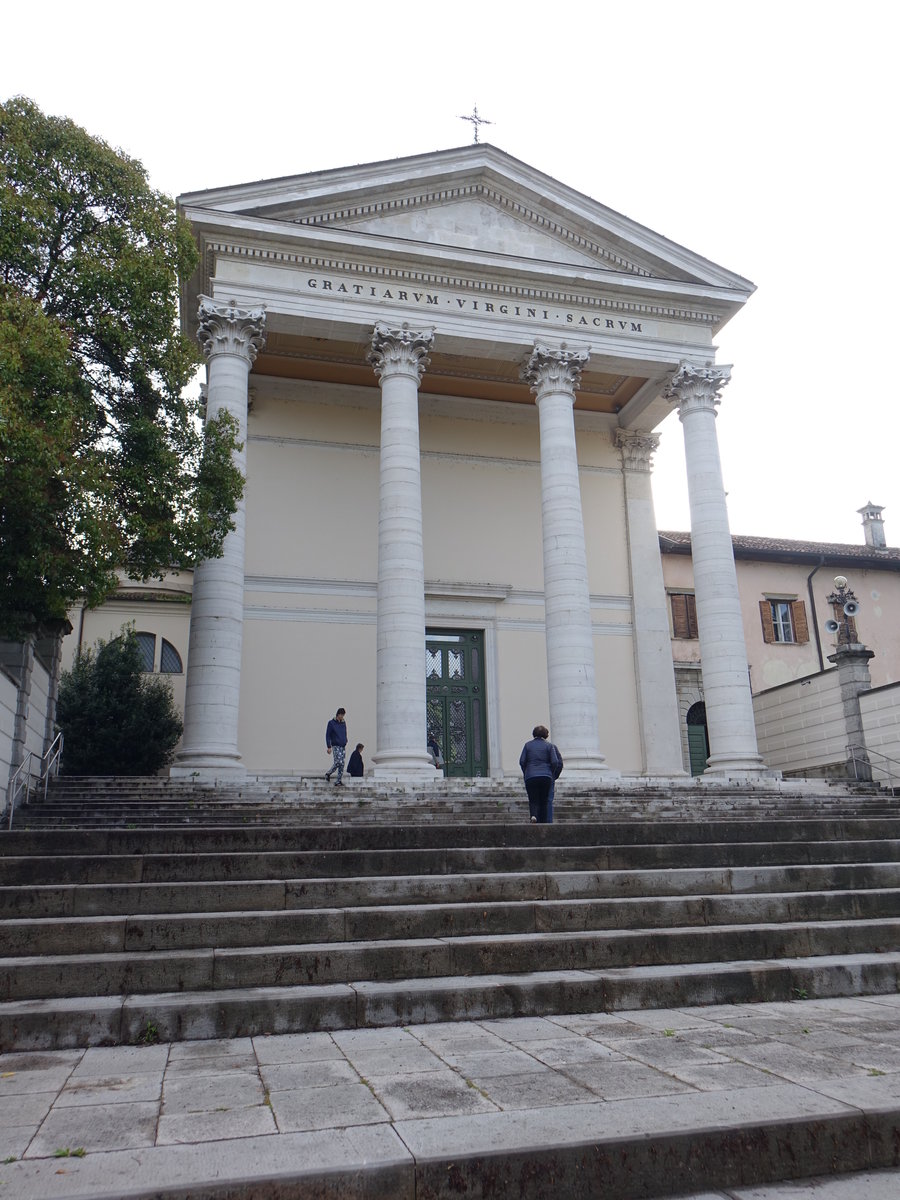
column 430, row 958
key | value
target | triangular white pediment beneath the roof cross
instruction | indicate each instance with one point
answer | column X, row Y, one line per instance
column 476, row 200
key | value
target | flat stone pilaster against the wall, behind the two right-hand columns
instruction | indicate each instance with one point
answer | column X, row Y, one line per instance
column 661, row 733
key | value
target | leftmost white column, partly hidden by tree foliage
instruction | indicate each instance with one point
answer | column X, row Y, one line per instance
column 231, row 338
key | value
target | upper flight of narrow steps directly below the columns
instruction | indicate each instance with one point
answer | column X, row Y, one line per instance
column 105, row 803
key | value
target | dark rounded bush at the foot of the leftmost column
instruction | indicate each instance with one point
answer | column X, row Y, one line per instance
column 116, row 719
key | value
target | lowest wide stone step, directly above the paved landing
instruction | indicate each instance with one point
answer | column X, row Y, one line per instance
column 229, row 1013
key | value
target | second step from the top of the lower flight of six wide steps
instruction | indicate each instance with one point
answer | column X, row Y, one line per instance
column 33, row 871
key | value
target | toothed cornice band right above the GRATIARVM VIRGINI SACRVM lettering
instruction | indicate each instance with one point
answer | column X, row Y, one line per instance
column 459, row 283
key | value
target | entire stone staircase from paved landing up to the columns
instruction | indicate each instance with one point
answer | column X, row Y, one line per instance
column 314, row 909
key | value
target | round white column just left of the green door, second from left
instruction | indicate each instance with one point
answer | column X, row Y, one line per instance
column 399, row 358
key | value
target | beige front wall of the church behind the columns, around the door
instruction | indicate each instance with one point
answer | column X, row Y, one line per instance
column 311, row 566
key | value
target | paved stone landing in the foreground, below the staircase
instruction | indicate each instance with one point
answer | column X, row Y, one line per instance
column 461, row 1108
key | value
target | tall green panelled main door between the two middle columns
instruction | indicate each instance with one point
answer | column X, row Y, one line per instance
column 455, row 699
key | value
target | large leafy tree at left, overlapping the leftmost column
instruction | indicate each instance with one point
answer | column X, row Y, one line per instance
column 105, row 461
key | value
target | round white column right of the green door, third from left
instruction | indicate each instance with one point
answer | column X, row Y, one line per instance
column 554, row 376
